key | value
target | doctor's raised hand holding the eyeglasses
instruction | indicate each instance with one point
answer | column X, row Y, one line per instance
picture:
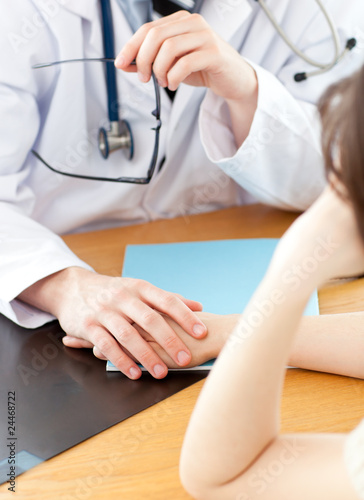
column 182, row 48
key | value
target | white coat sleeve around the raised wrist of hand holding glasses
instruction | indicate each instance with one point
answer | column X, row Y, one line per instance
column 280, row 163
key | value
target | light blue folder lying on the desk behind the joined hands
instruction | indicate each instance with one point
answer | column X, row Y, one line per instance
column 222, row 275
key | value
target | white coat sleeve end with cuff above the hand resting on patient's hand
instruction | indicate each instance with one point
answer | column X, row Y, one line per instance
column 29, row 252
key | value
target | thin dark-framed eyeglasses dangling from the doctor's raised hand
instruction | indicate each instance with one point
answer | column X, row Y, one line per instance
column 156, row 128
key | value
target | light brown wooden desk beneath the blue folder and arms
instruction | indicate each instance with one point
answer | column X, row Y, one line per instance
column 138, row 458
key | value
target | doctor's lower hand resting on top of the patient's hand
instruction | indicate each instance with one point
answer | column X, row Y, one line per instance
column 96, row 310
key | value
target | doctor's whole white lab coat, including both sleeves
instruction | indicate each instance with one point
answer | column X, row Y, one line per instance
column 57, row 111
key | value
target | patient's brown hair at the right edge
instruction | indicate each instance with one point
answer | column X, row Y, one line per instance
column 342, row 115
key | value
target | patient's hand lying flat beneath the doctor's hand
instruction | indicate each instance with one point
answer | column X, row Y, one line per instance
column 218, row 328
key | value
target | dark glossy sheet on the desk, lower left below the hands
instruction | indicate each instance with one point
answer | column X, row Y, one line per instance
column 63, row 396
